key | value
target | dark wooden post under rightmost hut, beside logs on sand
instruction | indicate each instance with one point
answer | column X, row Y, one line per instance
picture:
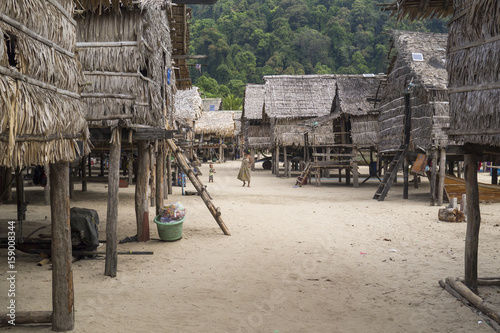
column 473, row 221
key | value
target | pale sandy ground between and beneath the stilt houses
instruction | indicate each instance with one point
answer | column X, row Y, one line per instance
column 308, row 259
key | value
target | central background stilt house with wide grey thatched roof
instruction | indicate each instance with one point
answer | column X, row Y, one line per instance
column 289, row 100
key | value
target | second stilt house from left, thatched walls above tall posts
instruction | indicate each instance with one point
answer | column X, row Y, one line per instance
column 125, row 50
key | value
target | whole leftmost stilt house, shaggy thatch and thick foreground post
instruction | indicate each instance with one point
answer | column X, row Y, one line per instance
column 41, row 119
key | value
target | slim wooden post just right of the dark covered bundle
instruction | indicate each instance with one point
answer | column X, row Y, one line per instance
column 112, row 209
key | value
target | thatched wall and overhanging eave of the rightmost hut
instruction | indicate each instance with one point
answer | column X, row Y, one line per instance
column 472, row 62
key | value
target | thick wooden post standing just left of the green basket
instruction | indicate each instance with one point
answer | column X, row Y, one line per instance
column 141, row 192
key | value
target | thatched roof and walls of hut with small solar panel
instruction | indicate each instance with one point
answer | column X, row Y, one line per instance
column 425, row 78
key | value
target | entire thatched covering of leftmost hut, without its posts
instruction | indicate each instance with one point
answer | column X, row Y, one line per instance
column 41, row 115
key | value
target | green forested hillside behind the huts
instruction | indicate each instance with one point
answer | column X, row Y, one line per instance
column 247, row 39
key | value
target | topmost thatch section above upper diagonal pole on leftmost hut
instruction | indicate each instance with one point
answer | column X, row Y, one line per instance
column 35, row 15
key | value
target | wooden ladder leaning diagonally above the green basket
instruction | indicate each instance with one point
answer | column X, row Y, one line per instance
column 202, row 191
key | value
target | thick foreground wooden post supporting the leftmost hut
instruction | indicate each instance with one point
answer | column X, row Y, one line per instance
column 62, row 275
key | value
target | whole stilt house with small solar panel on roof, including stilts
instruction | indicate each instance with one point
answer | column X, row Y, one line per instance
column 414, row 109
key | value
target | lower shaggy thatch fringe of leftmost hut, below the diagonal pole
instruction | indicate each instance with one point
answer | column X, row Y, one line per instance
column 37, row 111
